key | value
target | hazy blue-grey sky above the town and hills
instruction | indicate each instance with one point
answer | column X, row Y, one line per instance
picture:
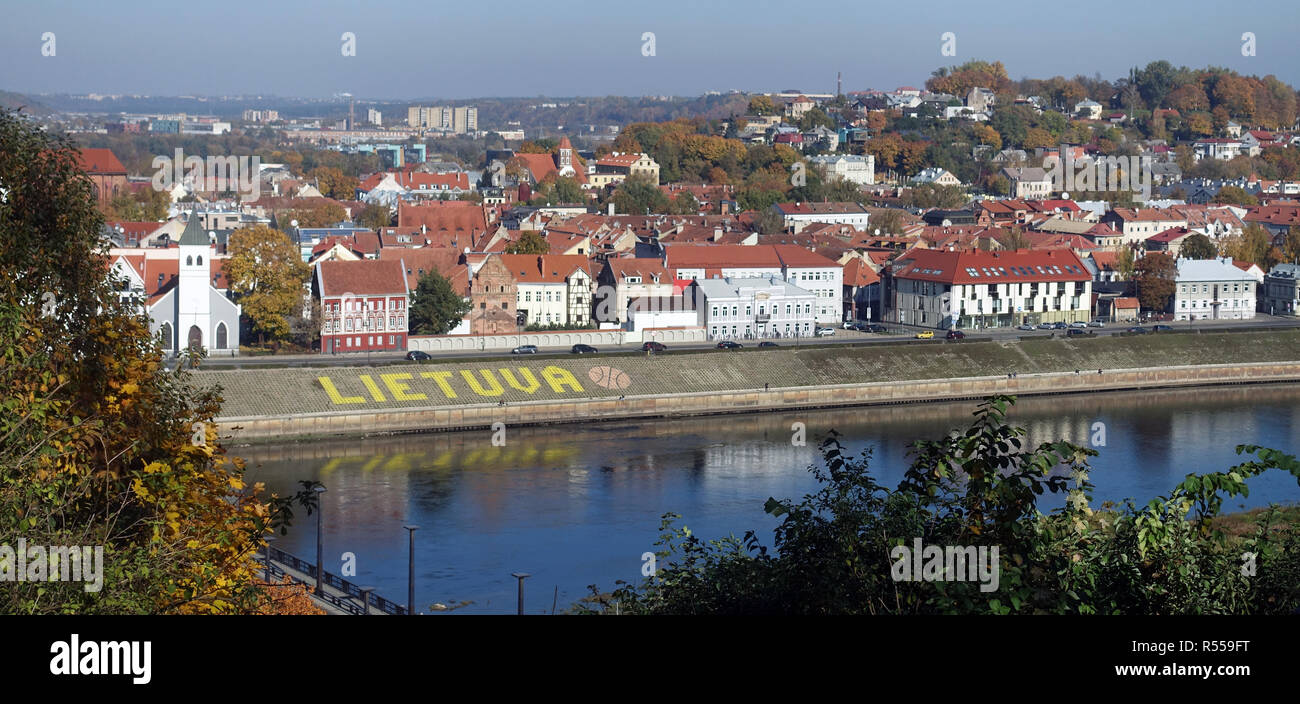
column 565, row 47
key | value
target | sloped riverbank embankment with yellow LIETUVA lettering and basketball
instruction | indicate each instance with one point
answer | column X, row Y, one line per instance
column 462, row 396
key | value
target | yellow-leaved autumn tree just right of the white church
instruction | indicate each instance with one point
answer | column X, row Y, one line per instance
column 267, row 277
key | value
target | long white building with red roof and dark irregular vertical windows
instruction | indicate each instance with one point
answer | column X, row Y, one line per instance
column 969, row 289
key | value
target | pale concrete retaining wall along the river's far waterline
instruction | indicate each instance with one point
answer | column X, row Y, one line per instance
column 480, row 416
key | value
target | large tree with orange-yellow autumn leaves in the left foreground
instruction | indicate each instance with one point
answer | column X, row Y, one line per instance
column 99, row 445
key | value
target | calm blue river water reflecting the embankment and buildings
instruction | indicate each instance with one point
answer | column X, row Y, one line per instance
column 575, row 506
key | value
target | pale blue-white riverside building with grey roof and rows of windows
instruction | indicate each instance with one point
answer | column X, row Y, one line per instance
column 755, row 308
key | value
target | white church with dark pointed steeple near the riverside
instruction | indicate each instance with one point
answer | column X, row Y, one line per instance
column 181, row 294
